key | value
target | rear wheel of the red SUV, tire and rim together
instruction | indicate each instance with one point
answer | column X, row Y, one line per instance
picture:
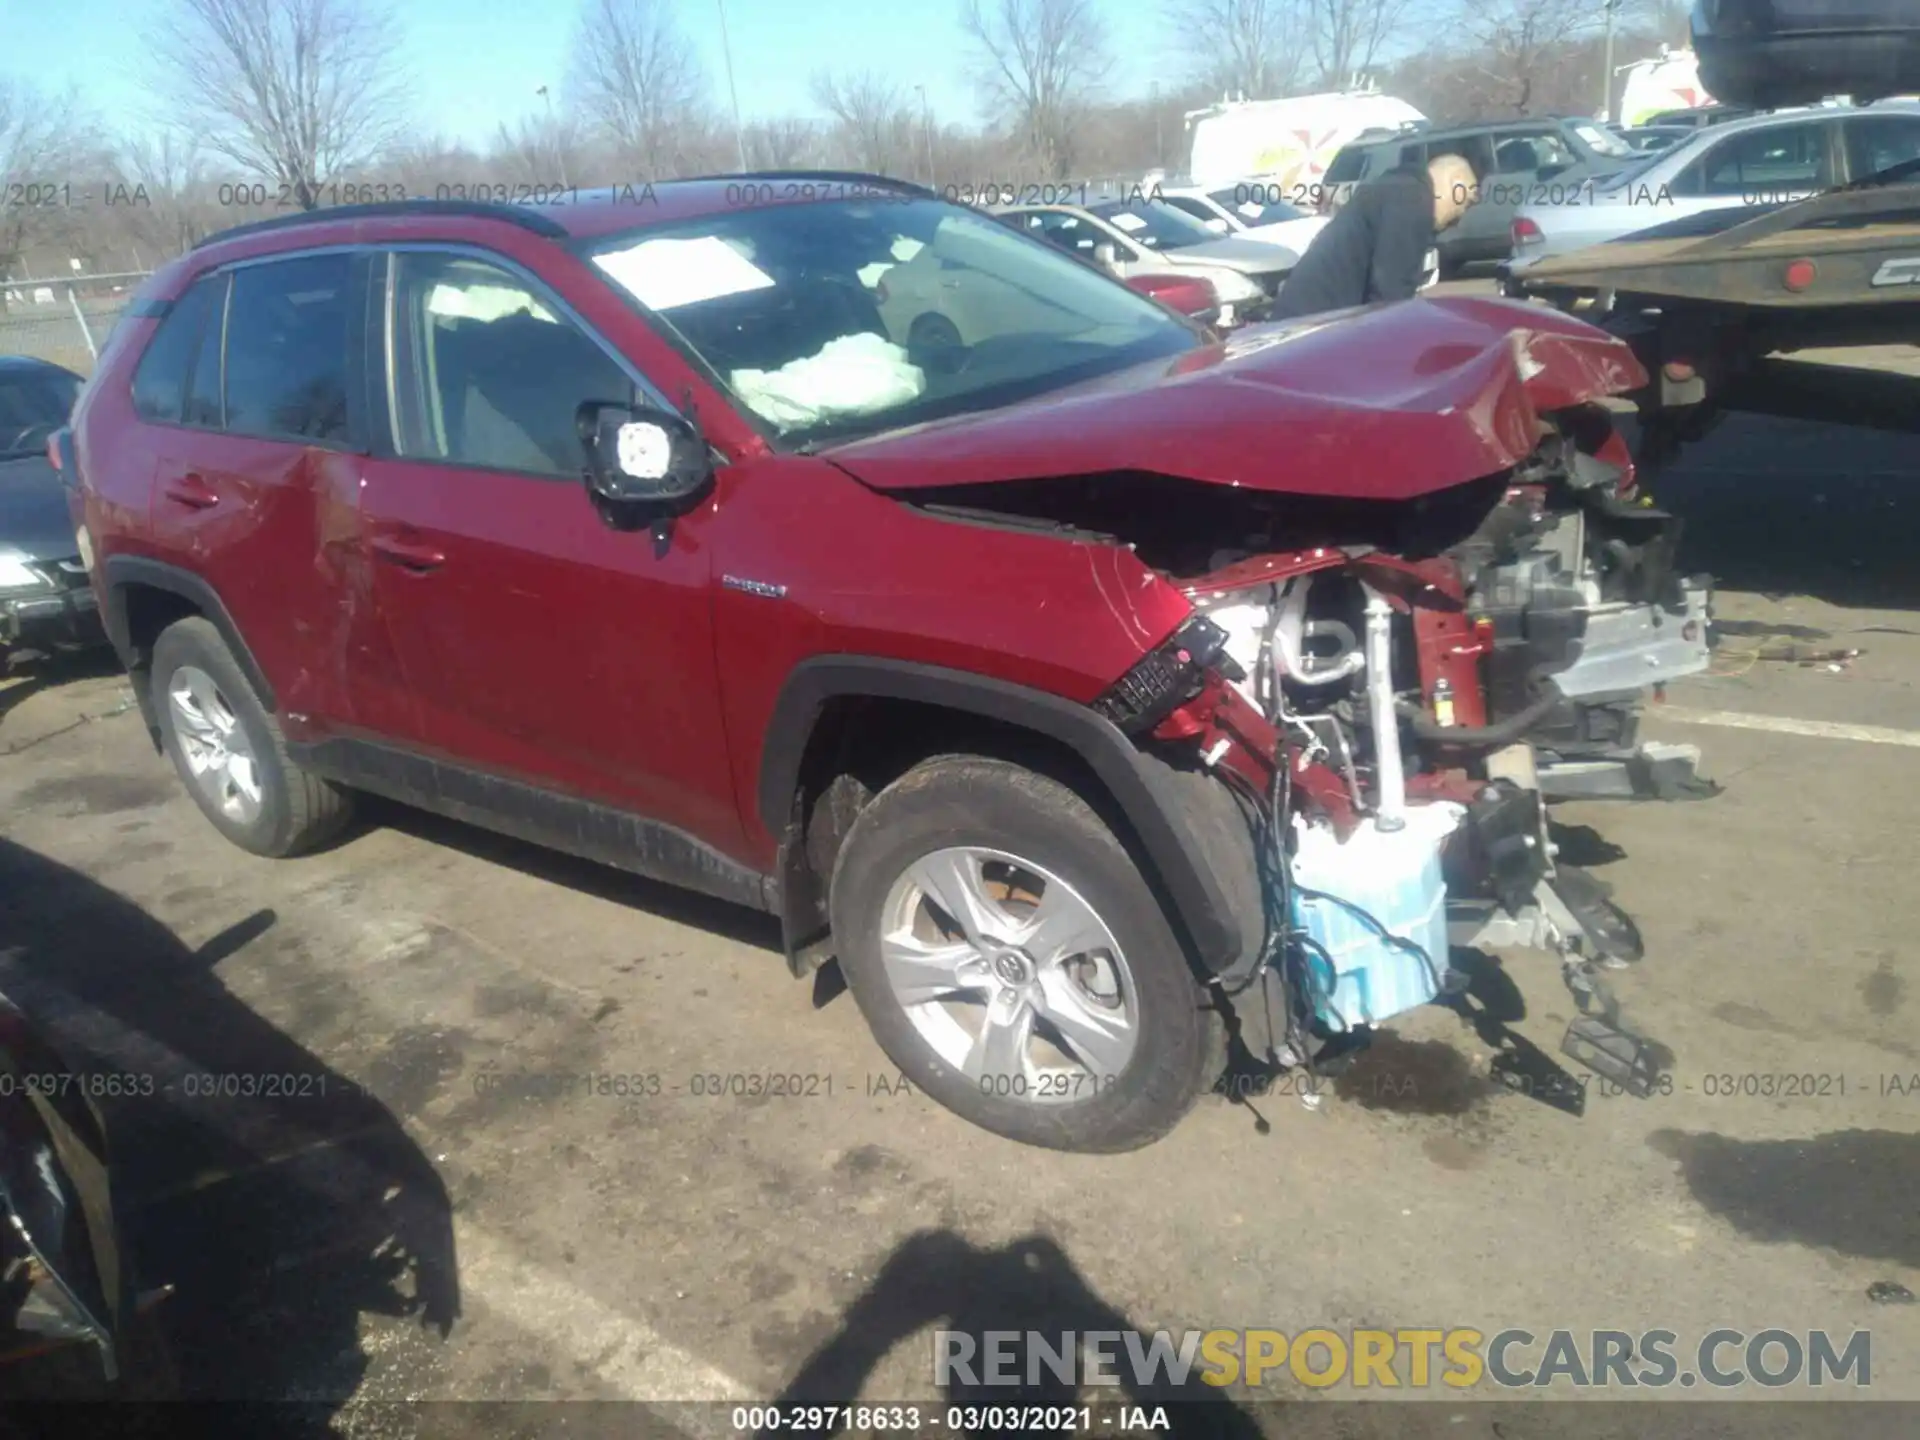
column 229, row 752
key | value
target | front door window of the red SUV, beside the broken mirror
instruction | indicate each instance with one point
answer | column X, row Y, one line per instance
column 487, row 373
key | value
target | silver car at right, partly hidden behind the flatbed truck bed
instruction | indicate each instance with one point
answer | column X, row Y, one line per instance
column 1765, row 160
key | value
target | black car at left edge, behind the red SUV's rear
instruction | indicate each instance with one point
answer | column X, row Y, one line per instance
column 45, row 600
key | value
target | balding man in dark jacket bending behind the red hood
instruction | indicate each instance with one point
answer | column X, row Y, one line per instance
column 1376, row 247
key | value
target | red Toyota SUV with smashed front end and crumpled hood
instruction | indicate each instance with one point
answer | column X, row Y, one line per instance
column 1007, row 660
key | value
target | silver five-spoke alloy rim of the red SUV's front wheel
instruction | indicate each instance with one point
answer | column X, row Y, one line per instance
column 1009, row 974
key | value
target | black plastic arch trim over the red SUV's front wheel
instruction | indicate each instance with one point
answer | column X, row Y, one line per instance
column 1138, row 784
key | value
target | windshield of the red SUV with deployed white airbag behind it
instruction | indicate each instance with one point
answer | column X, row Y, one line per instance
column 840, row 320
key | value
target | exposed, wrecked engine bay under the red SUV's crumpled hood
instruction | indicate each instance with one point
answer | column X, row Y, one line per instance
column 1426, row 669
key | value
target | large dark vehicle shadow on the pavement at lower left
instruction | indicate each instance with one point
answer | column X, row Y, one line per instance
column 279, row 1201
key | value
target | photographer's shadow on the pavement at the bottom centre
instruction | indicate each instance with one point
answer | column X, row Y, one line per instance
column 938, row 1280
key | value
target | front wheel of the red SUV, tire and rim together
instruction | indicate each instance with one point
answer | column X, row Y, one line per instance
column 1013, row 961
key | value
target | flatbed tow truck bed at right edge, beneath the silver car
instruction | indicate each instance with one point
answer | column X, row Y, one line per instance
column 1716, row 304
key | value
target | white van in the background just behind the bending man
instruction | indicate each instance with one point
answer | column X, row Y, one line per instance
column 1287, row 143
